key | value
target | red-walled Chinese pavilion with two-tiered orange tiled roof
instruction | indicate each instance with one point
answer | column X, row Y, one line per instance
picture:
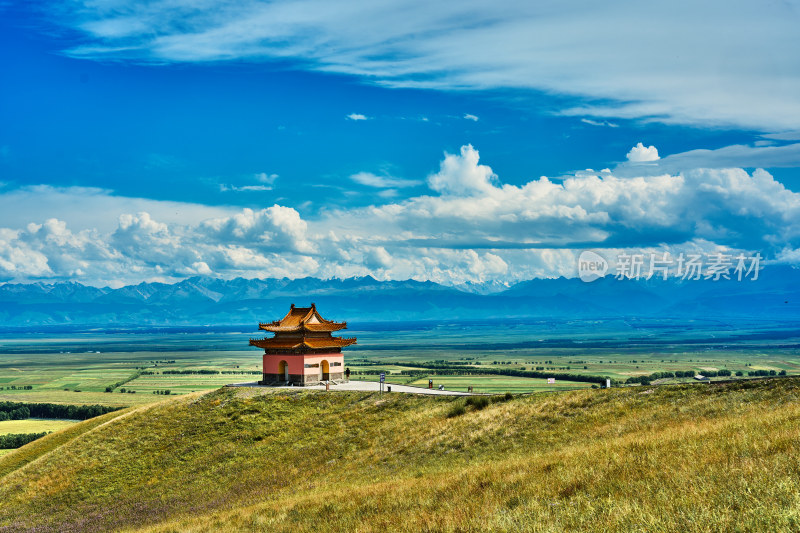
column 303, row 351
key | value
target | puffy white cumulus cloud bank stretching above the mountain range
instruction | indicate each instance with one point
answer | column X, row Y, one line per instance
column 469, row 227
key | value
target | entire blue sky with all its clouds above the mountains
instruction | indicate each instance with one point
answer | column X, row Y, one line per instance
column 156, row 140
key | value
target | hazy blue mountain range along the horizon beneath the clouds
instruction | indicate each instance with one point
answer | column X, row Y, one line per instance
column 210, row 301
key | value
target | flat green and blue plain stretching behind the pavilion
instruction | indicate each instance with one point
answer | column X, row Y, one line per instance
column 76, row 367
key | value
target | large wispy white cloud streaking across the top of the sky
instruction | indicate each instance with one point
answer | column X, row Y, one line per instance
column 621, row 53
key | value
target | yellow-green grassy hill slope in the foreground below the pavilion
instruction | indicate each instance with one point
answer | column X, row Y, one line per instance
column 679, row 458
